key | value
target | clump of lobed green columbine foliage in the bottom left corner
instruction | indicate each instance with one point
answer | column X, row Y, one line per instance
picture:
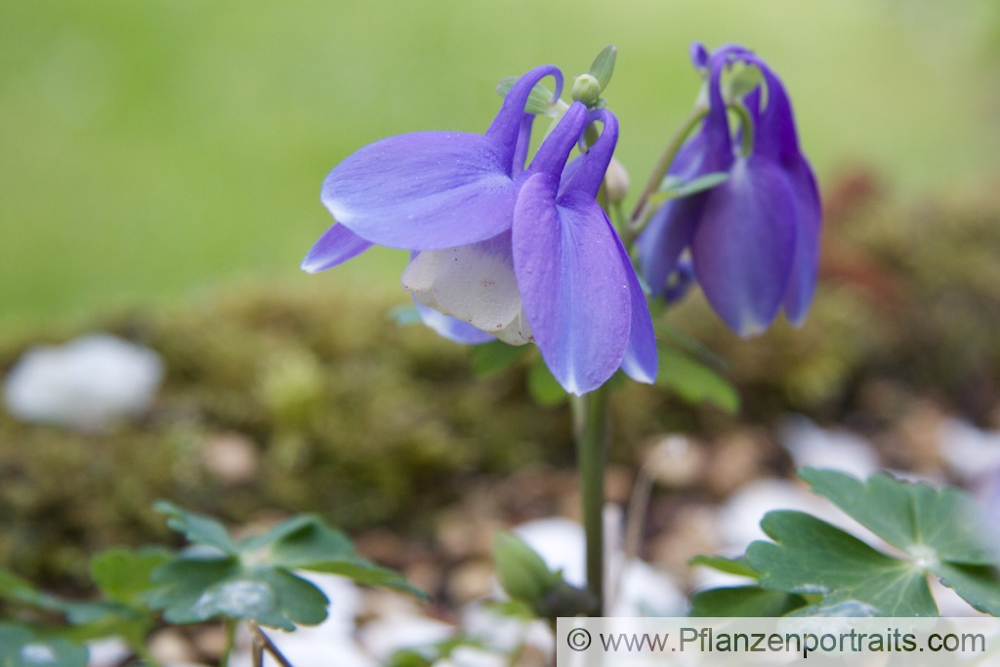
column 216, row 576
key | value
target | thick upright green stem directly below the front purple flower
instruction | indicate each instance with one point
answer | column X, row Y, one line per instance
column 590, row 428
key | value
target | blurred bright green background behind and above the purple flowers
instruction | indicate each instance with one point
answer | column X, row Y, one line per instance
column 151, row 149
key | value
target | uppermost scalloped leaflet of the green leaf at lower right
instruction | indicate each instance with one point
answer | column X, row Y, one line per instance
column 927, row 524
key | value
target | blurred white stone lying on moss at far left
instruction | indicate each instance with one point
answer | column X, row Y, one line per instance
column 88, row 384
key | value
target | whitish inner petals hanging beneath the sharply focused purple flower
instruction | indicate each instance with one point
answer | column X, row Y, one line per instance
column 474, row 283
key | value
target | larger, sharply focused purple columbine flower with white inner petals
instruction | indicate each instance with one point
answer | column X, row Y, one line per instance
column 499, row 249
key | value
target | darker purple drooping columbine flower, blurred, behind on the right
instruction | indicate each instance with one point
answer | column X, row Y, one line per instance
column 753, row 239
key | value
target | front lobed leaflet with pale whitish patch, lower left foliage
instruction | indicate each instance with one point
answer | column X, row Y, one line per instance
column 195, row 590
